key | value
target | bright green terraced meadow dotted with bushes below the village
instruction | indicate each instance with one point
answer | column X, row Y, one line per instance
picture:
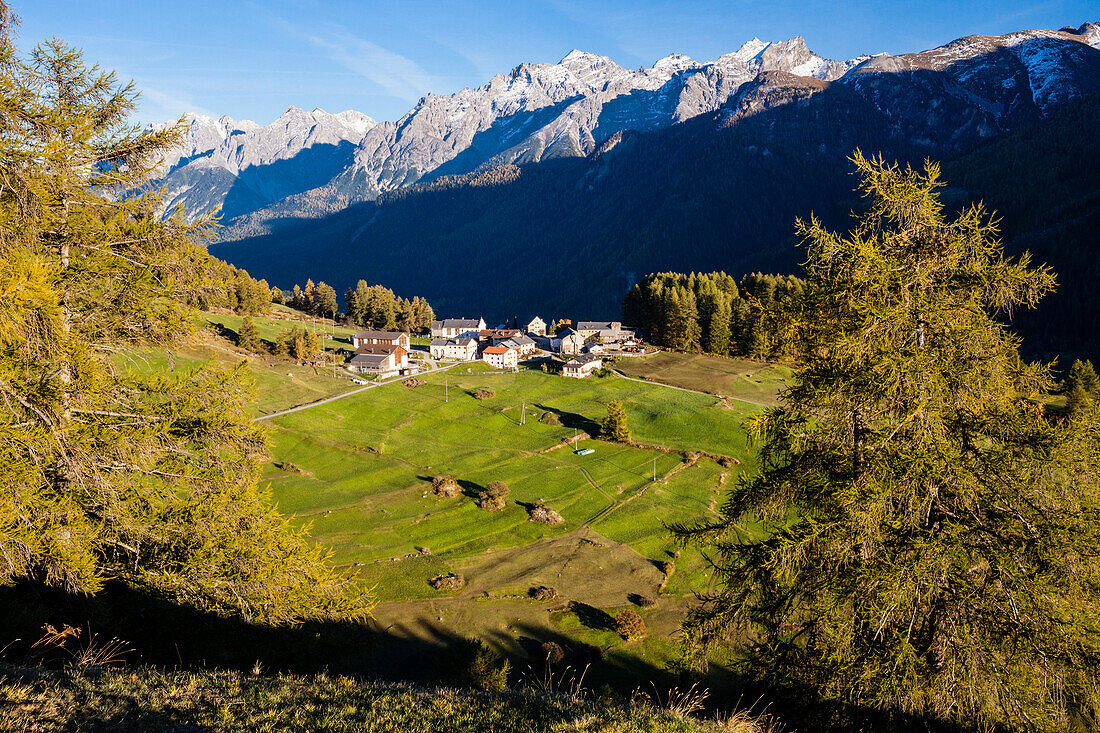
column 359, row 471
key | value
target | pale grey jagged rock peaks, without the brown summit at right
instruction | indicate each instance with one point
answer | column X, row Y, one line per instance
column 536, row 112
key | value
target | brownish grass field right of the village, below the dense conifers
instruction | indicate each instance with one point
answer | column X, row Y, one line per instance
column 741, row 379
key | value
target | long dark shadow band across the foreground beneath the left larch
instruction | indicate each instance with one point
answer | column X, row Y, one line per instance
column 170, row 637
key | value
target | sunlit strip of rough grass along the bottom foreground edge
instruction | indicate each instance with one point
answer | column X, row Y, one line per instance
column 146, row 699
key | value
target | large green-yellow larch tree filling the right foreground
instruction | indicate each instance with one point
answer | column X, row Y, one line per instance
column 920, row 537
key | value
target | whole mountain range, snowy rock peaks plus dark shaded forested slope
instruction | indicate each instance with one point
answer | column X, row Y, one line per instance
column 555, row 187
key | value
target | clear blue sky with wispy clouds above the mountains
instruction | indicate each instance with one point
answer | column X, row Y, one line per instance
column 250, row 60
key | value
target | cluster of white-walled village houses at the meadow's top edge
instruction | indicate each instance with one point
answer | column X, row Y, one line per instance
column 574, row 352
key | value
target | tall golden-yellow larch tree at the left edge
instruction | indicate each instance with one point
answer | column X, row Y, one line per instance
column 107, row 475
